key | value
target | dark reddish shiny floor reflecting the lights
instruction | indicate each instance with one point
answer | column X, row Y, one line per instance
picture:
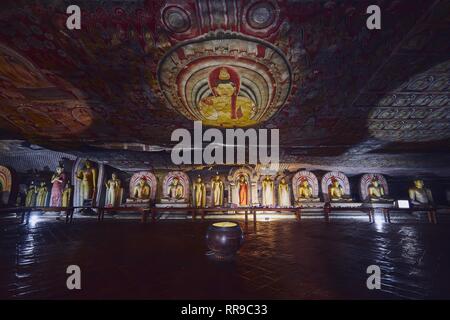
column 167, row 260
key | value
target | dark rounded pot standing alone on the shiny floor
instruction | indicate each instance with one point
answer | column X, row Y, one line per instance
column 224, row 239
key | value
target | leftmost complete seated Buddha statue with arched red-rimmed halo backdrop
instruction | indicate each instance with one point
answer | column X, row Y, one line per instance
column 142, row 189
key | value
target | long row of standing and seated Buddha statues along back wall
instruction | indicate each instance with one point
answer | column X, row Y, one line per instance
column 242, row 189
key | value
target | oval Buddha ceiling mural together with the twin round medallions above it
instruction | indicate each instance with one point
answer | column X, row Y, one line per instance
column 226, row 78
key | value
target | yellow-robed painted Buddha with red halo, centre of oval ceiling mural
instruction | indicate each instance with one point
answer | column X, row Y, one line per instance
column 225, row 106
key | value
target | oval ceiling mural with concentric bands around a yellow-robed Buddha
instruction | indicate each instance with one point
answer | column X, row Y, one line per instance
column 226, row 79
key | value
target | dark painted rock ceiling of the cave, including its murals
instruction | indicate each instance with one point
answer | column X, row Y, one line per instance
column 339, row 93
